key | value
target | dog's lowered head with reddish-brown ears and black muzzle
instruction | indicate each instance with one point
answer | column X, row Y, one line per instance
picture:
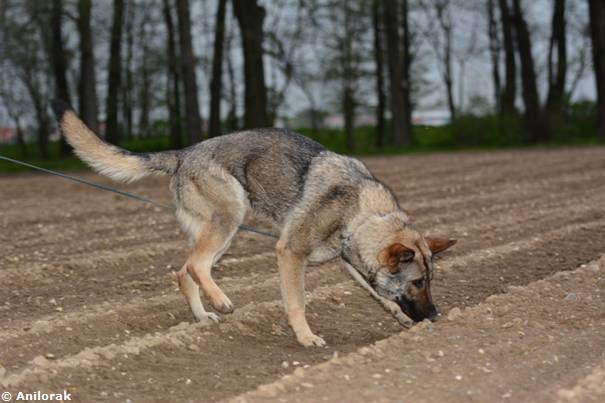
column 400, row 268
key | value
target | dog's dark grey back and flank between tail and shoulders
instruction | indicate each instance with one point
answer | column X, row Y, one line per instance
column 270, row 164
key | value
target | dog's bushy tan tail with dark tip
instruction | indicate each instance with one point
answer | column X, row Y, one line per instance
column 107, row 159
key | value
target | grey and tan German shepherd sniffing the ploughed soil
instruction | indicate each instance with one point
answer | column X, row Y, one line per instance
column 324, row 205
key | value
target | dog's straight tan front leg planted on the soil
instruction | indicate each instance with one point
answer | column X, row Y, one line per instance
column 291, row 273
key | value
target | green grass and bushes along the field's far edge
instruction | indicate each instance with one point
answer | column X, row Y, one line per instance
column 467, row 133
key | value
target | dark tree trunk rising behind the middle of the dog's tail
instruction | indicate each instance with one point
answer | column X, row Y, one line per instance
column 87, row 92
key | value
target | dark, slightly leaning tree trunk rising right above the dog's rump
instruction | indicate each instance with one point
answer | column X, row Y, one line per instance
column 192, row 108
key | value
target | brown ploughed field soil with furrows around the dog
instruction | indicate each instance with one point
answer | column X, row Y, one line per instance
column 89, row 300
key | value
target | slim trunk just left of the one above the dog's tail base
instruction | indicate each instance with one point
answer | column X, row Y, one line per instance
column 173, row 93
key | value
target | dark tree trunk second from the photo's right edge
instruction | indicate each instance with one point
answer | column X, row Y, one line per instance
column 557, row 77
